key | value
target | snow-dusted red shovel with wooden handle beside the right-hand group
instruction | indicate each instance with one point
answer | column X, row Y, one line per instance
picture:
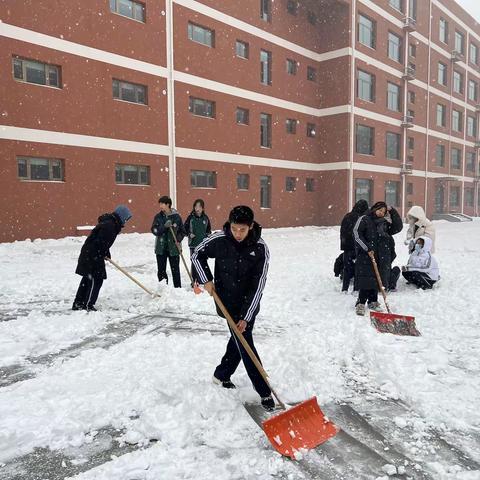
column 391, row 322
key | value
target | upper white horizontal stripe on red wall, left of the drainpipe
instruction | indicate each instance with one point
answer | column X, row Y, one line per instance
column 30, row 36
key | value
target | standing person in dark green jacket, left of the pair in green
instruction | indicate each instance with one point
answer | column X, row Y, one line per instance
column 165, row 246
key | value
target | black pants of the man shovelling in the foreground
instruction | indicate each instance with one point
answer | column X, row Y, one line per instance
column 234, row 353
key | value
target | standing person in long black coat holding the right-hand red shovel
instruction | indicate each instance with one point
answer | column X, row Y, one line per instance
column 373, row 239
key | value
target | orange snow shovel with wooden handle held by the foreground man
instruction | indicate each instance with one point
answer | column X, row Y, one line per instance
column 303, row 426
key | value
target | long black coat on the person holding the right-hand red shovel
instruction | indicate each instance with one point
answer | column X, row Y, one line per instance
column 375, row 234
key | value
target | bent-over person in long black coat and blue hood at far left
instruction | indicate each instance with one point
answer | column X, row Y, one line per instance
column 91, row 262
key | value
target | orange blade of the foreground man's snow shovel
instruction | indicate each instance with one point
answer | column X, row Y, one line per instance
column 302, row 426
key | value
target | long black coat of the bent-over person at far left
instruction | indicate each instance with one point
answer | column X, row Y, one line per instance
column 97, row 246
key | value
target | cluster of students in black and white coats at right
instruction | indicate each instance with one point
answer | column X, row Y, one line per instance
column 366, row 235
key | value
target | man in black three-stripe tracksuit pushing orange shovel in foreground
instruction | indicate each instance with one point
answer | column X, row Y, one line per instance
column 241, row 266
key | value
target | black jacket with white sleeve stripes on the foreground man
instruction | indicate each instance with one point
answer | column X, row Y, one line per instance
column 240, row 270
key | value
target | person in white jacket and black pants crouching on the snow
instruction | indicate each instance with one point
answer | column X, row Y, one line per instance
column 422, row 268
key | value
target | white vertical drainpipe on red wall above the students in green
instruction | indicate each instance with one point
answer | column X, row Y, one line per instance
column 172, row 167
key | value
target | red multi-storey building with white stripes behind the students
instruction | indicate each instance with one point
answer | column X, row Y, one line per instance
column 297, row 108
